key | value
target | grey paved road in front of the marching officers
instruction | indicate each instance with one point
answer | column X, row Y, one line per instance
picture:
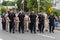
column 28, row 36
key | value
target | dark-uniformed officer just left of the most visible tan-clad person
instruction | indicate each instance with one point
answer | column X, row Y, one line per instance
column 21, row 23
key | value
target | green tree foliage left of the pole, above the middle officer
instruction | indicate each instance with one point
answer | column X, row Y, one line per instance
column 32, row 5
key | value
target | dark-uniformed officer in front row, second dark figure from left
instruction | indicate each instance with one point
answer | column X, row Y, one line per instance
column 11, row 17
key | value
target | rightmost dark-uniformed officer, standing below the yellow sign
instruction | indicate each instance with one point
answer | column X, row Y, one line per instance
column 51, row 22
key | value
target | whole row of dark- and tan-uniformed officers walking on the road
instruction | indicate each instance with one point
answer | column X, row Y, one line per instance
column 21, row 22
